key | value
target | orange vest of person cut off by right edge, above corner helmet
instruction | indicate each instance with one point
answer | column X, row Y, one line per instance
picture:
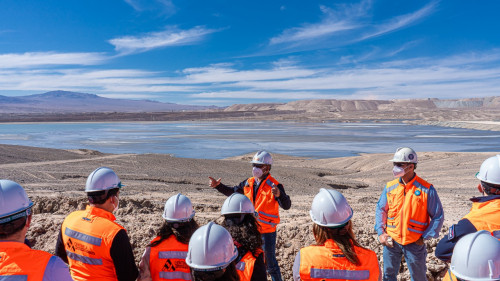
column 486, row 216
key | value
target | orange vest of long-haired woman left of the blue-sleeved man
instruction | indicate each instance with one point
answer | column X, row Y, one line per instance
column 327, row 262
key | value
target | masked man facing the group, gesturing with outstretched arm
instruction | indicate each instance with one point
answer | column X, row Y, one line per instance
column 267, row 195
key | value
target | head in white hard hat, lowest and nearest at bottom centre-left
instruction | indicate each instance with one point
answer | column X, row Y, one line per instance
column 212, row 254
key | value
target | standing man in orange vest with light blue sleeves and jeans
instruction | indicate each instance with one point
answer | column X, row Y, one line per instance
column 408, row 211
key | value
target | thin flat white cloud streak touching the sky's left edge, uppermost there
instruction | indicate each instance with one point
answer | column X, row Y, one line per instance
column 34, row 59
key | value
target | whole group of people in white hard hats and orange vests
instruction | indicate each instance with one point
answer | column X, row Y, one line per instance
column 92, row 246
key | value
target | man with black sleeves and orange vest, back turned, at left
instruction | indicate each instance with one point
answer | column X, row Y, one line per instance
column 95, row 246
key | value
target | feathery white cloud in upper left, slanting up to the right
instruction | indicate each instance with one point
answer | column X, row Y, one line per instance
column 172, row 36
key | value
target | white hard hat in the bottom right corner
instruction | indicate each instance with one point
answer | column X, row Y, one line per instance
column 476, row 256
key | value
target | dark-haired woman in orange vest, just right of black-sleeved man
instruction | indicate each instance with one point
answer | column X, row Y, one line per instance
column 164, row 258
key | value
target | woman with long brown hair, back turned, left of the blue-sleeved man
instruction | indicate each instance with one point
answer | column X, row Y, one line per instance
column 336, row 255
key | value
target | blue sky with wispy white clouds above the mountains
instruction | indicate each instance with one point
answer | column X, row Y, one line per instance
column 225, row 52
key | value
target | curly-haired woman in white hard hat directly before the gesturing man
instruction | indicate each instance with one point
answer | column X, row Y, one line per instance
column 239, row 219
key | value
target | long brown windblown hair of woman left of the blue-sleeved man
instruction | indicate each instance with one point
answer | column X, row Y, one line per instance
column 342, row 236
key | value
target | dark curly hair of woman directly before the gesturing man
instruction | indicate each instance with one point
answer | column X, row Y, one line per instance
column 246, row 234
